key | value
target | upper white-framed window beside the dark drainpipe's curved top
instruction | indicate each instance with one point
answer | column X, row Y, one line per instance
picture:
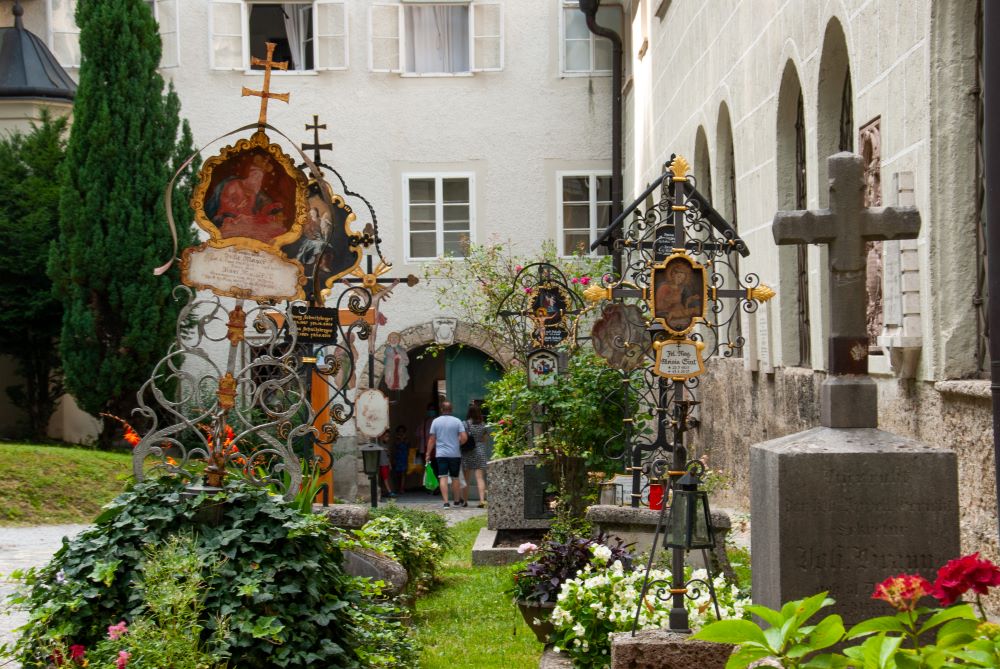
column 582, row 52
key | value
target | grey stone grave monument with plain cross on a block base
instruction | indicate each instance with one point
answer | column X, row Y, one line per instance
column 845, row 505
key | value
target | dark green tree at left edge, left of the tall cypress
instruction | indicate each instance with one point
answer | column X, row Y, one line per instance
column 29, row 220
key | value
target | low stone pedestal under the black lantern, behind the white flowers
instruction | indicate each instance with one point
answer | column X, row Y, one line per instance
column 662, row 649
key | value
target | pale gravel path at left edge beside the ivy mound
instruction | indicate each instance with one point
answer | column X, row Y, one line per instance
column 21, row 548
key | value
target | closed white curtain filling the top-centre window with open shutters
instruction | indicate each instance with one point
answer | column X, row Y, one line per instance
column 437, row 39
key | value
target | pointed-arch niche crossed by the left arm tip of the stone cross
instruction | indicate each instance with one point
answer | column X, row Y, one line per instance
column 793, row 274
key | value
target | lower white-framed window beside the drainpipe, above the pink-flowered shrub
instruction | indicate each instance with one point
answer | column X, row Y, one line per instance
column 584, row 210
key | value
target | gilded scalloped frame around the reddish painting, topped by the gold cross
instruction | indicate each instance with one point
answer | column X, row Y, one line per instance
column 257, row 142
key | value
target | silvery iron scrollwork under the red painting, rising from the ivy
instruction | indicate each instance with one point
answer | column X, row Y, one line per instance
column 246, row 417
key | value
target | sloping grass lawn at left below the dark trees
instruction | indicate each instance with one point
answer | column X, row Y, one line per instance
column 45, row 485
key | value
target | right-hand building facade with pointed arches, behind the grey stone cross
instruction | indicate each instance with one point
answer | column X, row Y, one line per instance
column 757, row 95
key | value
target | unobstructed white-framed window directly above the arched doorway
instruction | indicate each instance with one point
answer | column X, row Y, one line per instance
column 439, row 215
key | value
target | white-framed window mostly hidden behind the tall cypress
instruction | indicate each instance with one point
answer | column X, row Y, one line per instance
column 64, row 35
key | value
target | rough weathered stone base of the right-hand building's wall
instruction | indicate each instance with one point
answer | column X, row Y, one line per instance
column 741, row 408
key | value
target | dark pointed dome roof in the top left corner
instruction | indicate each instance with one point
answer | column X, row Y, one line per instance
column 27, row 67
